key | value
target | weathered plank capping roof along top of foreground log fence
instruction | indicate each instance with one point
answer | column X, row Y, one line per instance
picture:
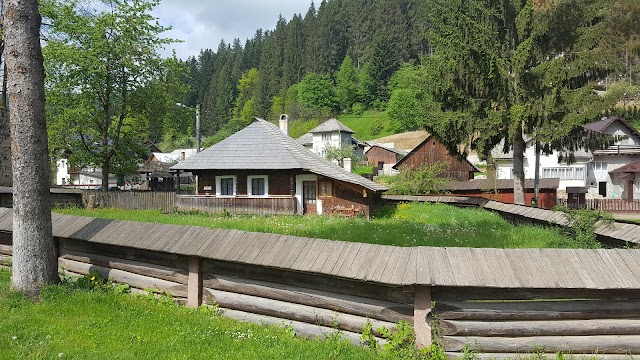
column 463, row 267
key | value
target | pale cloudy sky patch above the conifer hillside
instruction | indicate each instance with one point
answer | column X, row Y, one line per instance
column 201, row 24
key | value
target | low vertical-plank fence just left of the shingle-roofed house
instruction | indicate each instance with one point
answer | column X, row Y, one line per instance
column 130, row 200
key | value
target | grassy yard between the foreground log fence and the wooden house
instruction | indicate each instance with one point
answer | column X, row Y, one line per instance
column 417, row 224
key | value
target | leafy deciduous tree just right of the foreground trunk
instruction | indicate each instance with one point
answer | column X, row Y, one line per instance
column 96, row 64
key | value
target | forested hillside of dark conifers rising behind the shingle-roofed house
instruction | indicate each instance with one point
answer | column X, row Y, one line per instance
column 337, row 55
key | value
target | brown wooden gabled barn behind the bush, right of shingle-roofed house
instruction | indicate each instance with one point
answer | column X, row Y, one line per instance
column 432, row 151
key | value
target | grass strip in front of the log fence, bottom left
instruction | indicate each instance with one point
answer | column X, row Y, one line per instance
column 69, row 323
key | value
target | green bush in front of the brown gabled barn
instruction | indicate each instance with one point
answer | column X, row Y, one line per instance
column 427, row 179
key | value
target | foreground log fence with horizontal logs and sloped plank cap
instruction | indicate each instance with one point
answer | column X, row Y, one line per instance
column 584, row 308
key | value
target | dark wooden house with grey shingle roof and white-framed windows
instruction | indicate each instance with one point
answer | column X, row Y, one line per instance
column 261, row 170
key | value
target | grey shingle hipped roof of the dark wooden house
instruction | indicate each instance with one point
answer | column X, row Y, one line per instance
column 263, row 146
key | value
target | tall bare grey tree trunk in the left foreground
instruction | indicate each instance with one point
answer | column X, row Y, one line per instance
column 34, row 259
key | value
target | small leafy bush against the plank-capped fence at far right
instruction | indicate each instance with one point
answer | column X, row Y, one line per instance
column 582, row 225
